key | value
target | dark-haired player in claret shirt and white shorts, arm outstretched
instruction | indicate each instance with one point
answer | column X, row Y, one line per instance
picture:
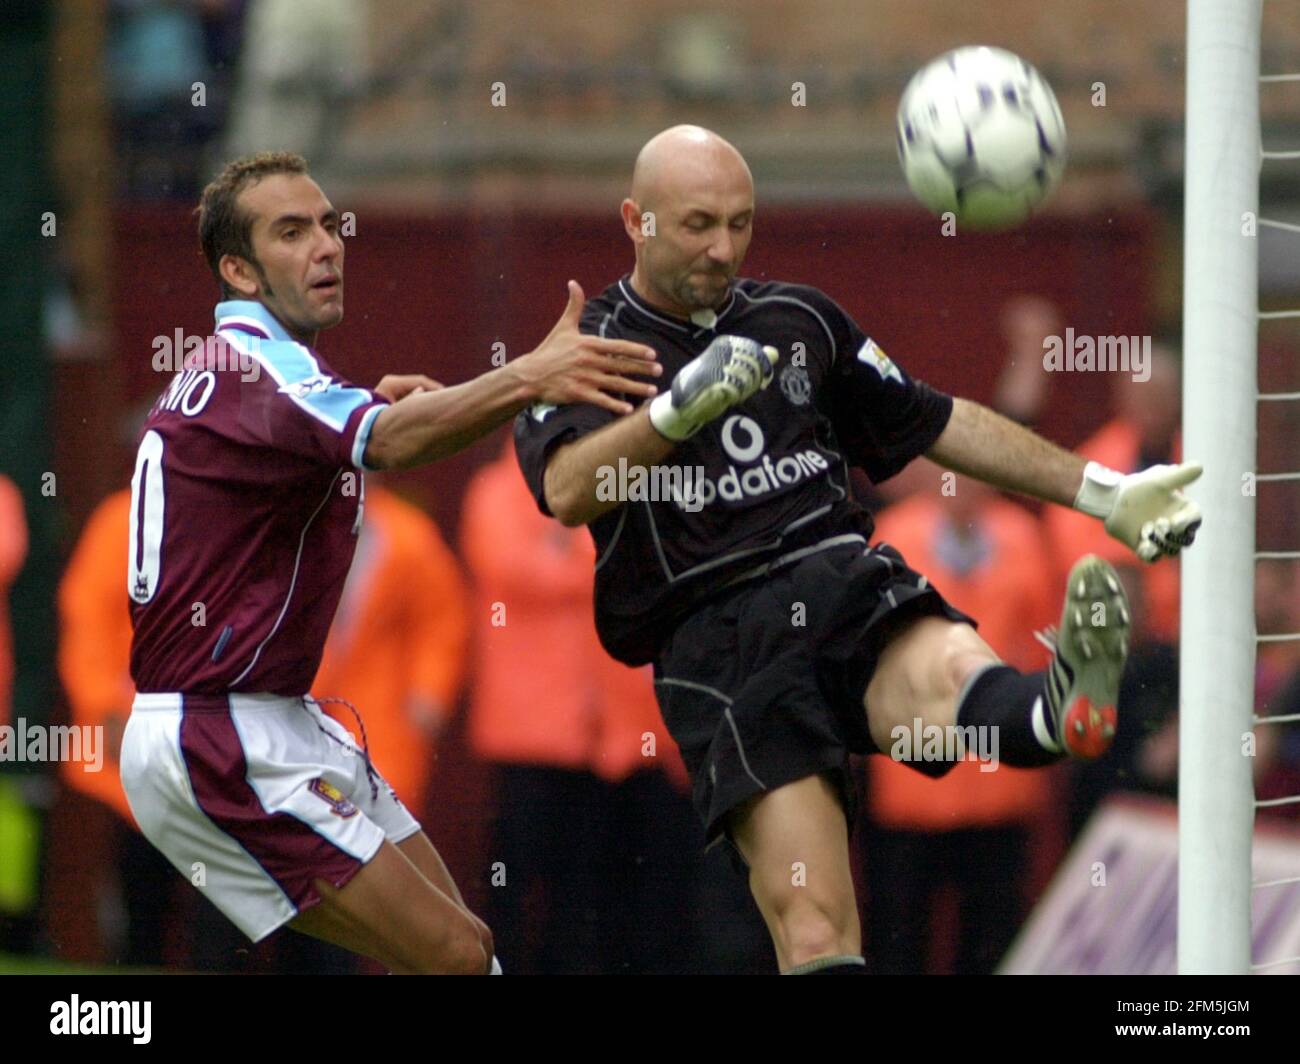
column 248, row 499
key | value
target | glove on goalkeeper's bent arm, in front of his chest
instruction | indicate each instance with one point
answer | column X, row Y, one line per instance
column 727, row 373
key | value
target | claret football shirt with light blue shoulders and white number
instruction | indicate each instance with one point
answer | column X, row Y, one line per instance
column 246, row 503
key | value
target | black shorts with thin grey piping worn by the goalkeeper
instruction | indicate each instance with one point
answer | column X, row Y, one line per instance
column 764, row 685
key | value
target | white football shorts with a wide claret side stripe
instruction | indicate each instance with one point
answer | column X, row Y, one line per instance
column 253, row 798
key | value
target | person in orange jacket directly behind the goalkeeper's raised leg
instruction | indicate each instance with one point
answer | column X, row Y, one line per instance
column 969, row 829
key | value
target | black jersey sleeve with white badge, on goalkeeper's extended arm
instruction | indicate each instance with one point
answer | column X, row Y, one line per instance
column 882, row 417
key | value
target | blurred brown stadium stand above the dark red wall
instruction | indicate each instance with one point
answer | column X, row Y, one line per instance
column 410, row 86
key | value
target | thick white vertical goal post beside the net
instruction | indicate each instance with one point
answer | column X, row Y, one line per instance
column 1216, row 802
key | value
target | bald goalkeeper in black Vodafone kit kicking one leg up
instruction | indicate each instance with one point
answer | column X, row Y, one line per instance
column 740, row 565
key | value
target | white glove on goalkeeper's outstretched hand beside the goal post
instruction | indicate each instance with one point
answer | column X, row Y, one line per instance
column 1143, row 511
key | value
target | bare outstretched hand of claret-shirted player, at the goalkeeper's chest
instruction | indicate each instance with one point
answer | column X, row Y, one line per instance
column 569, row 367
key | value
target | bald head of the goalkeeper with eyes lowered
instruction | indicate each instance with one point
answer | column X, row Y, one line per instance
column 690, row 217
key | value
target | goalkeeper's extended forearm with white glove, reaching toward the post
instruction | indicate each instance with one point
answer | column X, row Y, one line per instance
column 1145, row 511
